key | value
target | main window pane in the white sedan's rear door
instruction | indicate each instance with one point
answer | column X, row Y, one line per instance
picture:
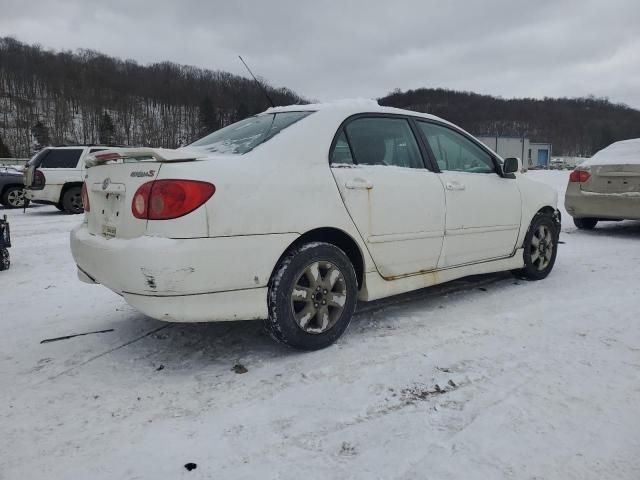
column 384, row 141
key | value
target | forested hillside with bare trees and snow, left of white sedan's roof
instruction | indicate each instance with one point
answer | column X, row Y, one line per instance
column 85, row 97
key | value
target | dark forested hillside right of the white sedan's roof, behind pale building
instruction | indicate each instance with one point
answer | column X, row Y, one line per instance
column 579, row 126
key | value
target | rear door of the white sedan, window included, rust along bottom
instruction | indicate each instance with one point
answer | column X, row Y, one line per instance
column 395, row 202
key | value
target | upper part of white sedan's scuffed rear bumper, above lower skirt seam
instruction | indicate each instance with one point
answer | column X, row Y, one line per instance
column 153, row 266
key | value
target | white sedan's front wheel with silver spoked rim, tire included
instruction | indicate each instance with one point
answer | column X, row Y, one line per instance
column 540, row 247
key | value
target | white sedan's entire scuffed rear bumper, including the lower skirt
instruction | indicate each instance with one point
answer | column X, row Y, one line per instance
column 191, row 280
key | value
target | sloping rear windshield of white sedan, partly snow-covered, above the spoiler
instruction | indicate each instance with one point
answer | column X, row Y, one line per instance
column 247, row 134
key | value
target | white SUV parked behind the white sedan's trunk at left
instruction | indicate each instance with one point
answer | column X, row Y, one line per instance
column 54, row 176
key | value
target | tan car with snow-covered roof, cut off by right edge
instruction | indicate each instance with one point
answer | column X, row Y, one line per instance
column 606, row 186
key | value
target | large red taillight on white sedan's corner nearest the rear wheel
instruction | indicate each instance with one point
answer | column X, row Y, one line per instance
column 167, row 199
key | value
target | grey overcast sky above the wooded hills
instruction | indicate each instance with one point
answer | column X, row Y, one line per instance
column 337, row 49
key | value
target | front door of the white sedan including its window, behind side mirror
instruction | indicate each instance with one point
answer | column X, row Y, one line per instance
column 483, row 208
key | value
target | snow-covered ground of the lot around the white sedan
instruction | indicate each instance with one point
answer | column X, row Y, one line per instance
column 486, row 378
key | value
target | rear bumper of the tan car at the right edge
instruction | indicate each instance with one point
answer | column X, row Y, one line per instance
column 580, row 204
